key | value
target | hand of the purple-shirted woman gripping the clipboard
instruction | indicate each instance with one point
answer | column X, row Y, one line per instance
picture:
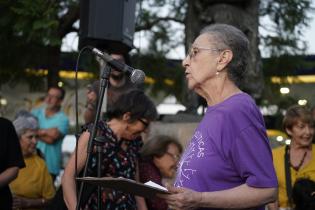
column 182, row 198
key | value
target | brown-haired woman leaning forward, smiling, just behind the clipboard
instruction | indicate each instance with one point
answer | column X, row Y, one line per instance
column 159, row 158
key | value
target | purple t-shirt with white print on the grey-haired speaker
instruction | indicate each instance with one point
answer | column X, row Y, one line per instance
column 229, row 148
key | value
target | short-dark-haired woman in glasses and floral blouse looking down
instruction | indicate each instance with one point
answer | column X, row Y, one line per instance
column 130, row 117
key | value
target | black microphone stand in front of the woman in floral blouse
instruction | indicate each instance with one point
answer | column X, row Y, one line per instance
column 96, row 141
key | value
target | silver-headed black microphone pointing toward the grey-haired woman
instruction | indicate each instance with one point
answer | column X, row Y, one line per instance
column 136, row 76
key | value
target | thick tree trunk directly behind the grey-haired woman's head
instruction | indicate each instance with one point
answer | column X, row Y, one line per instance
column 240, row 13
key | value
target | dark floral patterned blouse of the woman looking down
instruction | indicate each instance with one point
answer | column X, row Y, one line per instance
column 116, row 162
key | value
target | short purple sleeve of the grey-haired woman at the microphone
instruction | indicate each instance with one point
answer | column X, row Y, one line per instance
column 252, row 158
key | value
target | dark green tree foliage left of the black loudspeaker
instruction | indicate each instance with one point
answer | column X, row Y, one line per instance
column 32, row 35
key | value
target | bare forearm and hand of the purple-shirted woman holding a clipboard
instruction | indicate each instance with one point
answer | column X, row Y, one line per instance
column 240, row 197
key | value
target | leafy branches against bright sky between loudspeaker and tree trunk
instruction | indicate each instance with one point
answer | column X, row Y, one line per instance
column 161, row 20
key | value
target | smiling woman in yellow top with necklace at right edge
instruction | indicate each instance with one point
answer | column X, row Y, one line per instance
column 296, row 160
